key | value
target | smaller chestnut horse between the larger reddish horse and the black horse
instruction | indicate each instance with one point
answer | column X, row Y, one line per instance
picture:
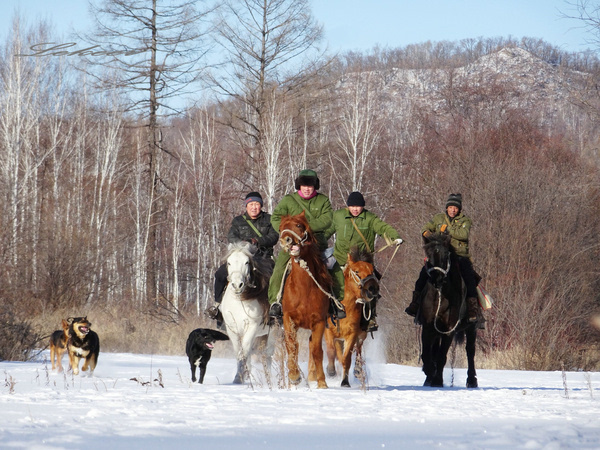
column 360, row 288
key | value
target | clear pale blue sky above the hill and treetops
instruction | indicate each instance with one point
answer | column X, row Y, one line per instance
column 362, row 24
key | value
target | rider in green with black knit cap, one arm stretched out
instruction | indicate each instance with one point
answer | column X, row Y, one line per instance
column 354, row 226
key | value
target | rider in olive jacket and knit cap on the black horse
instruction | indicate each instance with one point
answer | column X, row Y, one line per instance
column 455, row 223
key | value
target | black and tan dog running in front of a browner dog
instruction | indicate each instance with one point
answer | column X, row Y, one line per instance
column 83, row 343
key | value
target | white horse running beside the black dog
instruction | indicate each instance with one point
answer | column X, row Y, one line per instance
column 245, row 306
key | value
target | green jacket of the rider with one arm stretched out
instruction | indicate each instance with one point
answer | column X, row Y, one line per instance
column 346, row 235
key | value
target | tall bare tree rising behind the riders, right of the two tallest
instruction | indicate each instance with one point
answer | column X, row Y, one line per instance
column 270, row 54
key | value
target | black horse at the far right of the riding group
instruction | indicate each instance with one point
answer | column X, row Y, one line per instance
column 443, row 311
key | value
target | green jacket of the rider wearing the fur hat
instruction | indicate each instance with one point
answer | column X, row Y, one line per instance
column 318, row 212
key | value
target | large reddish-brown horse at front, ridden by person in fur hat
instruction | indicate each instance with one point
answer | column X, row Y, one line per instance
column 305, row 301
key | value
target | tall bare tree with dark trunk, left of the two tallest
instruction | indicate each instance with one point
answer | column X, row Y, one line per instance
column 155, row 48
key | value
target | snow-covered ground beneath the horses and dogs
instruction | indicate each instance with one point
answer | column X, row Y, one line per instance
column 149, row 402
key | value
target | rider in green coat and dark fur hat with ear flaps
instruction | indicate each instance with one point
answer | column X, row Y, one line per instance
column 318, row 211
